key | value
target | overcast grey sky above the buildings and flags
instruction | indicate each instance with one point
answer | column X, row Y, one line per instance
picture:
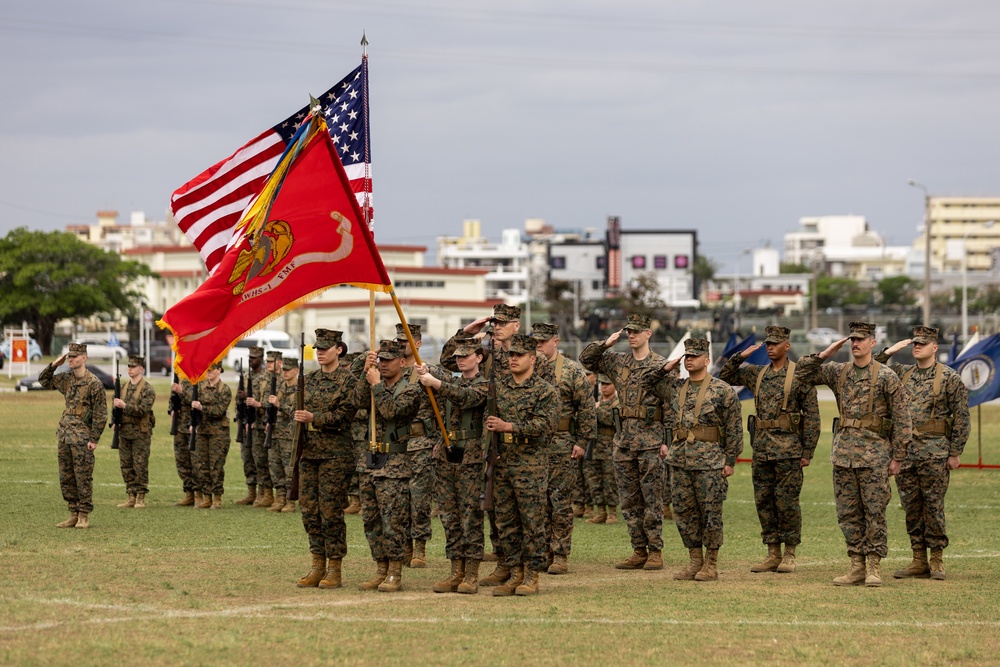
column 734, row 118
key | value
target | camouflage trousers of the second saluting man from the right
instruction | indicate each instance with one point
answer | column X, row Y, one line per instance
column 862, row 495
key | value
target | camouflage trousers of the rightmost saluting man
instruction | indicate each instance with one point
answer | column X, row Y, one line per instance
column 921, row 491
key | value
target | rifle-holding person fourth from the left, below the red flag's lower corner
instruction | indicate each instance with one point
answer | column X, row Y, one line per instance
column 212, row 441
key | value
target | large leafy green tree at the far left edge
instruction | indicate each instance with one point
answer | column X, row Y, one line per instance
column 49, row 276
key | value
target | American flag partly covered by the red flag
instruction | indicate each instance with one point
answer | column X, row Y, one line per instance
column 208, row 207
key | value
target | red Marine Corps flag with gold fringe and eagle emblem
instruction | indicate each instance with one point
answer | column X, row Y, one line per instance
column 303, row 234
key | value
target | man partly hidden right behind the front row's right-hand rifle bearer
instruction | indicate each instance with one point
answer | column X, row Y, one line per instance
column 577, row 427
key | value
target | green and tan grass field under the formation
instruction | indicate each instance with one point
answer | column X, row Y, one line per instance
column 176, row 586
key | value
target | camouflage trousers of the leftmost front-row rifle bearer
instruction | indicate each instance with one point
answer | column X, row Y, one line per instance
column 322, row 496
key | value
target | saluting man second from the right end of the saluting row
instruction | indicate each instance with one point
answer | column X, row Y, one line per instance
column 870, row 443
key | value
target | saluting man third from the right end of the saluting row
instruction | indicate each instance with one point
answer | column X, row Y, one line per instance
column 786, row 430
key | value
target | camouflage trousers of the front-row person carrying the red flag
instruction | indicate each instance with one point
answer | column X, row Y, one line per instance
column 456, row 491
